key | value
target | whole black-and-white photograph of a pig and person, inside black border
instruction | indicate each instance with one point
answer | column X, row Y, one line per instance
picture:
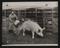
column 30, row 23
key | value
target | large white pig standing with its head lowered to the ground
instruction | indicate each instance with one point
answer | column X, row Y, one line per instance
column 33, row 27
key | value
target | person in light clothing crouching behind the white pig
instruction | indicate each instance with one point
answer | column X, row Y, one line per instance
column 12, row 19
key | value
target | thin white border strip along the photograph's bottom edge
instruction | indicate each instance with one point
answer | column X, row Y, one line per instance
column 31, row 45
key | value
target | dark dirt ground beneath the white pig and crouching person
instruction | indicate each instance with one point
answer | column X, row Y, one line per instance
column 11, row 38
